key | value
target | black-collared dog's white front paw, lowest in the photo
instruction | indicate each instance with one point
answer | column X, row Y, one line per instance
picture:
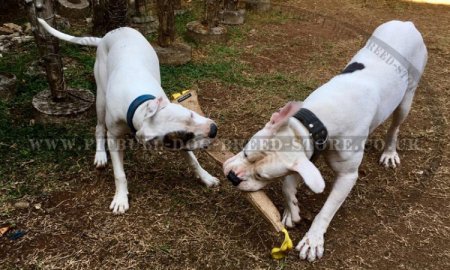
column 311, row 246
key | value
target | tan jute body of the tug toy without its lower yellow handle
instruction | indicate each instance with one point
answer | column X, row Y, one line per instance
column 219, row 152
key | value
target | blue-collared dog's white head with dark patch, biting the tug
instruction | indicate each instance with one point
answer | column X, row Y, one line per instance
column 175, row 127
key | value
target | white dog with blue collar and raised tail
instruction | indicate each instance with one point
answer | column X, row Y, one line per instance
column 130, row 98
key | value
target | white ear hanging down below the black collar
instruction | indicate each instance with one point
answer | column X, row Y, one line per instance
column 310, row 174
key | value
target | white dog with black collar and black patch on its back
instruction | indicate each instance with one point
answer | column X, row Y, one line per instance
column 379, row 81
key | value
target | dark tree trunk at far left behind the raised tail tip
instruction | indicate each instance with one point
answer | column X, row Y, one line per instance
column 48, row 46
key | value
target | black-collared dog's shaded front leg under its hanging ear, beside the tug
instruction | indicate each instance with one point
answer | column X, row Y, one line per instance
column 291, row 214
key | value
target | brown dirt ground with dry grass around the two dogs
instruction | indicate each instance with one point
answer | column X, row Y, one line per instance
column 393, row 219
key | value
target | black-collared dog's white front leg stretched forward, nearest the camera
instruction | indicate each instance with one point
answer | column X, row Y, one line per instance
column 311, row 246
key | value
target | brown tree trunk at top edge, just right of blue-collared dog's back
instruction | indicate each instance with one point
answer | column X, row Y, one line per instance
column 166, row 16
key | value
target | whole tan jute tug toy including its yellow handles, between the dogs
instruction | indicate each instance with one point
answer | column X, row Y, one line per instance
column 258, row 199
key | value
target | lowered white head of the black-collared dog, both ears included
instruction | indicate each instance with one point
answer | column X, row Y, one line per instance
column 265, row 157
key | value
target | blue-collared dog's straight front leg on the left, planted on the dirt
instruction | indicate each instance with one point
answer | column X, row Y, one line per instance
column 120, row 202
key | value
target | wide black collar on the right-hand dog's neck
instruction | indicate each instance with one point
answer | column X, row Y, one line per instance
column 316, row 128
